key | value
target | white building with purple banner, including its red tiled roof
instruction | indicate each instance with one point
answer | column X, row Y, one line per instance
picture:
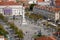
column 11, row 8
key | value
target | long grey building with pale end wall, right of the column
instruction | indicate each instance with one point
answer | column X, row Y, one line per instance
column 47, row 13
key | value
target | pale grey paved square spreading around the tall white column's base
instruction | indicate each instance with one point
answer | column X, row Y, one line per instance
column 30, row 29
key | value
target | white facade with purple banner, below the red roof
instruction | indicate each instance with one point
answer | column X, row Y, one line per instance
column 11, row 10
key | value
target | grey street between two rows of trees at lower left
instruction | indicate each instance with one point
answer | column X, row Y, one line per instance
column 7, row 28
